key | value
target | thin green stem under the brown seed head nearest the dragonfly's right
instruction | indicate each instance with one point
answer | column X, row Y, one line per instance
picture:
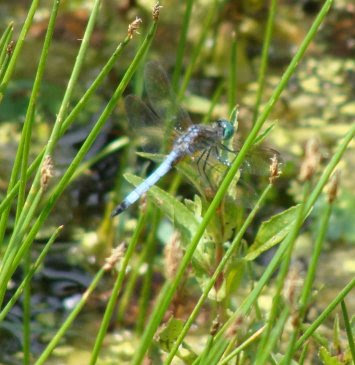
column 231, row 250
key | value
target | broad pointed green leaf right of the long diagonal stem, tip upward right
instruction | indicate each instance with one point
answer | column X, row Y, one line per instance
column 272, row 232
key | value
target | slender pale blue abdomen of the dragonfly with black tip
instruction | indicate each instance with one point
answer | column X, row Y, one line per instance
column 151, row 180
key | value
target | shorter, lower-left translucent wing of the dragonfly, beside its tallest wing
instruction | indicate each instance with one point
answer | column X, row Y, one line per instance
column 144, row 124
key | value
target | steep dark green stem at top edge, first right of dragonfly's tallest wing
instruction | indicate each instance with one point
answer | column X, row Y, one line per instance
column 182, row 45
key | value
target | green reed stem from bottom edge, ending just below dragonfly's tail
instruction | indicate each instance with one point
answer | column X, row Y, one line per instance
column 117, row 287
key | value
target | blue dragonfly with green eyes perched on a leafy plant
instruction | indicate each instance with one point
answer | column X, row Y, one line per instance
column 204, row 143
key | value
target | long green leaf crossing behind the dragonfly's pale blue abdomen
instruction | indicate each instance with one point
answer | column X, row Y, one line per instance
column 178, row 214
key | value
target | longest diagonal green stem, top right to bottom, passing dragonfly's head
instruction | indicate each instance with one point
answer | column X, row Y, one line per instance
column 169, row 290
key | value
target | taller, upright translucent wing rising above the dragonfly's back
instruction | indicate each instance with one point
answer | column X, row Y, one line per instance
column 163, row 100
